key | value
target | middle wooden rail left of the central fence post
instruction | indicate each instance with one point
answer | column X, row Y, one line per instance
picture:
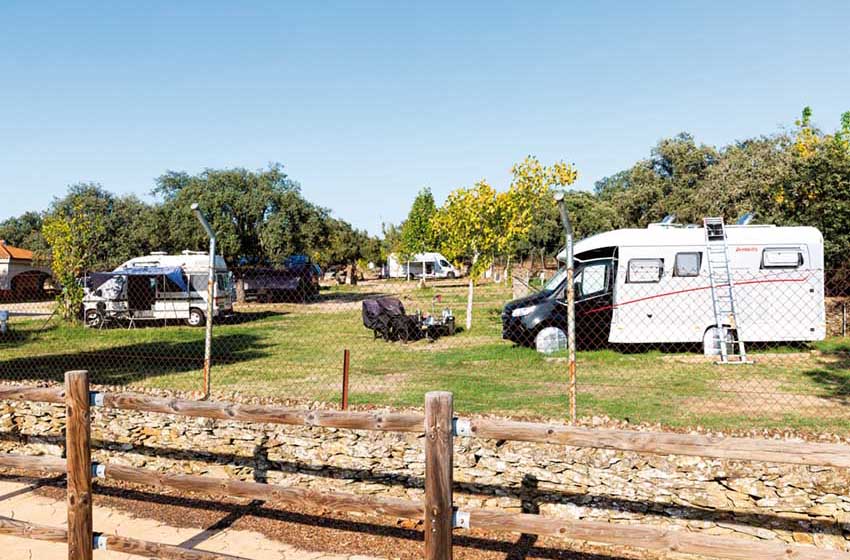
column 223, row 487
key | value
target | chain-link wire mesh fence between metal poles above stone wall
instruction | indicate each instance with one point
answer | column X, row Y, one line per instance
column 646, row 331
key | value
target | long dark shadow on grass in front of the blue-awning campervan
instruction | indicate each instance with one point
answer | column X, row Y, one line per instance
column 120, row 365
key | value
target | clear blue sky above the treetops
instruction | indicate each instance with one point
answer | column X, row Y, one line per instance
column 366, row 102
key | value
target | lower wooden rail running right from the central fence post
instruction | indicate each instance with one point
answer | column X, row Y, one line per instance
column 648, row 537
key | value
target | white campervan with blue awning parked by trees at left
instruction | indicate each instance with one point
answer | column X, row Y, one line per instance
column 159, row 287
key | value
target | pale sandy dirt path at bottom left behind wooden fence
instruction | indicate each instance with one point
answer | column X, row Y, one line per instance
column 18, row 500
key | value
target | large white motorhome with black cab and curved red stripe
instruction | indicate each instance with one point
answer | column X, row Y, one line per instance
column 653, row 286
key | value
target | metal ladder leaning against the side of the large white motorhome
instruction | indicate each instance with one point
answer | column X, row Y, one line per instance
column 732, row 350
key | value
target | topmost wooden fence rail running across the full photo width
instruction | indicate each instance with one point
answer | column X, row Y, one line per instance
column 659, row 443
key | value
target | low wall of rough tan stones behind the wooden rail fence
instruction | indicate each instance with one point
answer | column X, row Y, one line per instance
column 750, row 500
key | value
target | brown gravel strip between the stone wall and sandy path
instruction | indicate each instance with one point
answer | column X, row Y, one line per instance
column 318, row 530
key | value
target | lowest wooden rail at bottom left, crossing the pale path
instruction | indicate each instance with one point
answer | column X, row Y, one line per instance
column 115, row 543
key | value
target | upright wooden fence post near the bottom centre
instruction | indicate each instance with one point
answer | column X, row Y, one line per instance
column 439, row 450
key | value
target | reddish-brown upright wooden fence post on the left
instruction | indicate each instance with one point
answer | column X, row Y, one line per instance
column 78, row 450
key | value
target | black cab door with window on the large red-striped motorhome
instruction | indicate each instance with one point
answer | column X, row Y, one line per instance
column 594, row 298
